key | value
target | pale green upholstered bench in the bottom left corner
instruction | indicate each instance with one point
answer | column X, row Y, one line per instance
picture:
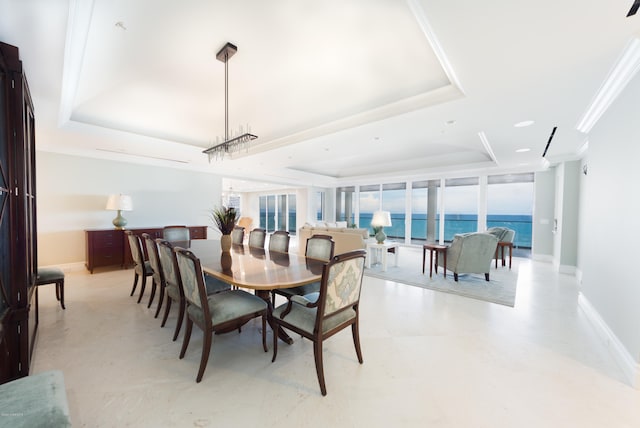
column 38, row 400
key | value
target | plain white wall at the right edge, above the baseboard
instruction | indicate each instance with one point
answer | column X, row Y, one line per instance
column 609, row 241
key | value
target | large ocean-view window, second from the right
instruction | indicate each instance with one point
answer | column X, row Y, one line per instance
column 460, row 206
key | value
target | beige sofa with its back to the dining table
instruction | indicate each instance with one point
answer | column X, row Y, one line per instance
column 345, row 238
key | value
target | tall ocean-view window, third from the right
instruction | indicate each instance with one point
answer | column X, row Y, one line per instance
column 425, row 217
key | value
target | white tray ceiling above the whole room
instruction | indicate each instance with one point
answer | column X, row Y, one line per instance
column 337, row 92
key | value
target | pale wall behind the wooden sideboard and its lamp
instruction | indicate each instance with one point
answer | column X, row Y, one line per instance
column 72, row 193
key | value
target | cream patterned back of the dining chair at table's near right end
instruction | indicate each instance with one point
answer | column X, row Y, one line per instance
column 341, row 285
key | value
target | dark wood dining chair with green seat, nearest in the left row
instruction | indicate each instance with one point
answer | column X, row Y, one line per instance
column 218, row 313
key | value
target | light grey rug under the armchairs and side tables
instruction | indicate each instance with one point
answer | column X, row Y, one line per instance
column 501, row 288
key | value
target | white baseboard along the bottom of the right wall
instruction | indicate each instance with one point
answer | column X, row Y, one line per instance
column 629, row 366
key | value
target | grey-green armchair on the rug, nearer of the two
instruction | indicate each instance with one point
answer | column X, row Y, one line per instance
column 470, row 253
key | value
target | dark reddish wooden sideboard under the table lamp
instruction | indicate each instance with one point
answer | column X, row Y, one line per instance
column 109, row 247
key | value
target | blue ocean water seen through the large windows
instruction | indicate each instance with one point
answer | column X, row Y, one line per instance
column 455, row 223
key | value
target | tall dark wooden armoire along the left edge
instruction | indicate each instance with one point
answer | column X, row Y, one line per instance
column 18, row 243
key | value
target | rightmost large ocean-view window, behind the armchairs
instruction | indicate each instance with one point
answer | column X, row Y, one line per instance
column 510, row 204
